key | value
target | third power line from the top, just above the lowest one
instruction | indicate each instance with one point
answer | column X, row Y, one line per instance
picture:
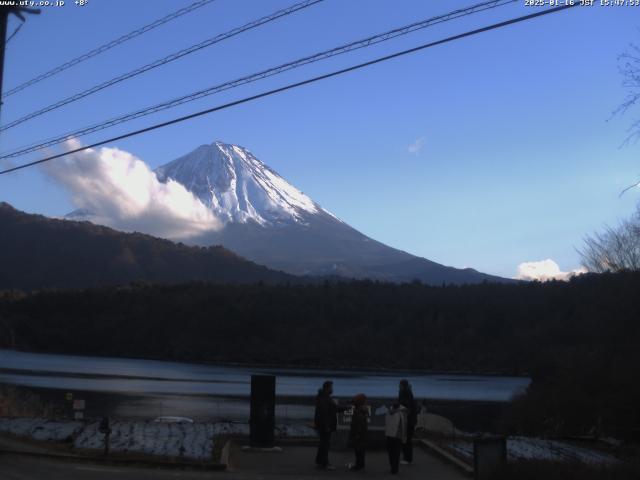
column 372, row 40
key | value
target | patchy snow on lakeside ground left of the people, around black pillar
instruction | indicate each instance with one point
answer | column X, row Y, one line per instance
column 193, row 441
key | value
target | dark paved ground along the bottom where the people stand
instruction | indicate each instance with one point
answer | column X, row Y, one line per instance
column 292, row 463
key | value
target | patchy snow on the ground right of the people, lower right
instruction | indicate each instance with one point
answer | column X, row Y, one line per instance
column 529, row 448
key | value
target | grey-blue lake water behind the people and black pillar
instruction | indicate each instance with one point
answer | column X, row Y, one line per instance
column 137, row 387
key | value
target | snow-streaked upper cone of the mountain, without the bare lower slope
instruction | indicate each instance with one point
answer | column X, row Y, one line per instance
column 238, row 187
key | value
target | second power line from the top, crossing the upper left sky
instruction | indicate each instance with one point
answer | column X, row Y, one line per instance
column 163, row 61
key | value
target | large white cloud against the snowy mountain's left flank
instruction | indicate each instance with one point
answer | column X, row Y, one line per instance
column 120, row 191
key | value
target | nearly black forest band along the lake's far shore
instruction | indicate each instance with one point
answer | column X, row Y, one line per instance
column 518, row 328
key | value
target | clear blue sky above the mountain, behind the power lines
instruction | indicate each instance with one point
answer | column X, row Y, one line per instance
column 486, row 152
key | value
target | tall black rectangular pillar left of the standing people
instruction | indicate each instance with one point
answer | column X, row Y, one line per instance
column 263, row 410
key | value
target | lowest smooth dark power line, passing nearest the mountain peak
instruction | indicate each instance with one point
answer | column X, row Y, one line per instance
column 298, row 84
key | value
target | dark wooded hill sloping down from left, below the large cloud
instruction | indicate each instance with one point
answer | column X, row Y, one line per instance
column 38, row 252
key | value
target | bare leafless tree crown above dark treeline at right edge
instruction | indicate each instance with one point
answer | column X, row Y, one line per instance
column 614, row 250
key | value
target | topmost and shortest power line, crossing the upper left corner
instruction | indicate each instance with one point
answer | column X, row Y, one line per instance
column 108, row 46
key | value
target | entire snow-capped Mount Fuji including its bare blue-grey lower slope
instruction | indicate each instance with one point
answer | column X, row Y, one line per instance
column 269, row 221
